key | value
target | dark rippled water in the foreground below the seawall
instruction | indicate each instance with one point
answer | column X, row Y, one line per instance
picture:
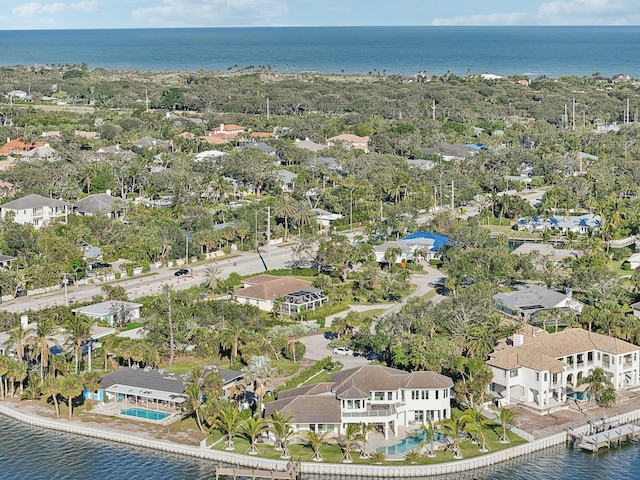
column 37, row 454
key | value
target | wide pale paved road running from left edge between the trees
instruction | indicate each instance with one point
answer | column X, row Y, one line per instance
column 244, row 263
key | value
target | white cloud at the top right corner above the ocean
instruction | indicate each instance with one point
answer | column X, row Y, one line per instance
column 558, row 12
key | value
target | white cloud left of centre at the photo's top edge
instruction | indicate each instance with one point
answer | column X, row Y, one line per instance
column 206, row 13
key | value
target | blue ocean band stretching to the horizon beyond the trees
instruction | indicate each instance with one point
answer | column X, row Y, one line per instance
column 531, row 51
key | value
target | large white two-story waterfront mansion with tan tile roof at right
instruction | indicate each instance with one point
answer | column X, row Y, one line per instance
column 541, row 371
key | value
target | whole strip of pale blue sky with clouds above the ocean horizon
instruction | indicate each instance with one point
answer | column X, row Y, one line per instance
column 65, row 14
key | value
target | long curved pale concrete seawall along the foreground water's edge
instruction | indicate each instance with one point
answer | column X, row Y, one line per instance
column 329, row 469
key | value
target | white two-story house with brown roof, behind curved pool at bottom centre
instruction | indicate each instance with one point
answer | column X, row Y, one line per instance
column 384, row 397
